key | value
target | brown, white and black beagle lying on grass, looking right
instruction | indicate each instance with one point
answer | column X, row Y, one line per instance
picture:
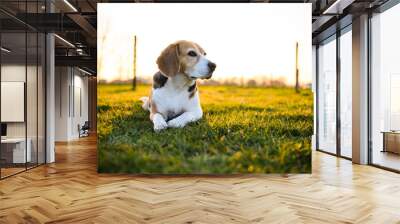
column 174, row 100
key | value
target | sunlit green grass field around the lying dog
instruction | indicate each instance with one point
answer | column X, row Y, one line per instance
column 243, row 130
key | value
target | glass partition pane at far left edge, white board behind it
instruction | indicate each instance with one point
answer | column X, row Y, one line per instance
column 13, row 86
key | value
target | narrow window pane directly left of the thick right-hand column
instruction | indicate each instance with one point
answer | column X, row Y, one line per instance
column 346, row 94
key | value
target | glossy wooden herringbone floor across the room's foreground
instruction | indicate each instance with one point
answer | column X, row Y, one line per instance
column 70, row 191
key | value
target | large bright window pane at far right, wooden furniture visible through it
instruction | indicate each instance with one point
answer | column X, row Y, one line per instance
column 386, row 89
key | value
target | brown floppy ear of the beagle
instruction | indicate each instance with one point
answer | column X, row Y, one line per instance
column 168, row 61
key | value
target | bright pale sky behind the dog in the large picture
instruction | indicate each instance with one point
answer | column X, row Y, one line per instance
column 244, row 40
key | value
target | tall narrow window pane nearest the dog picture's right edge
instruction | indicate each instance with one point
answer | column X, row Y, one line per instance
column 327, row 97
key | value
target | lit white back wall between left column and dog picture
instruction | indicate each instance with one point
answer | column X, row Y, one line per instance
column 70, row 84
